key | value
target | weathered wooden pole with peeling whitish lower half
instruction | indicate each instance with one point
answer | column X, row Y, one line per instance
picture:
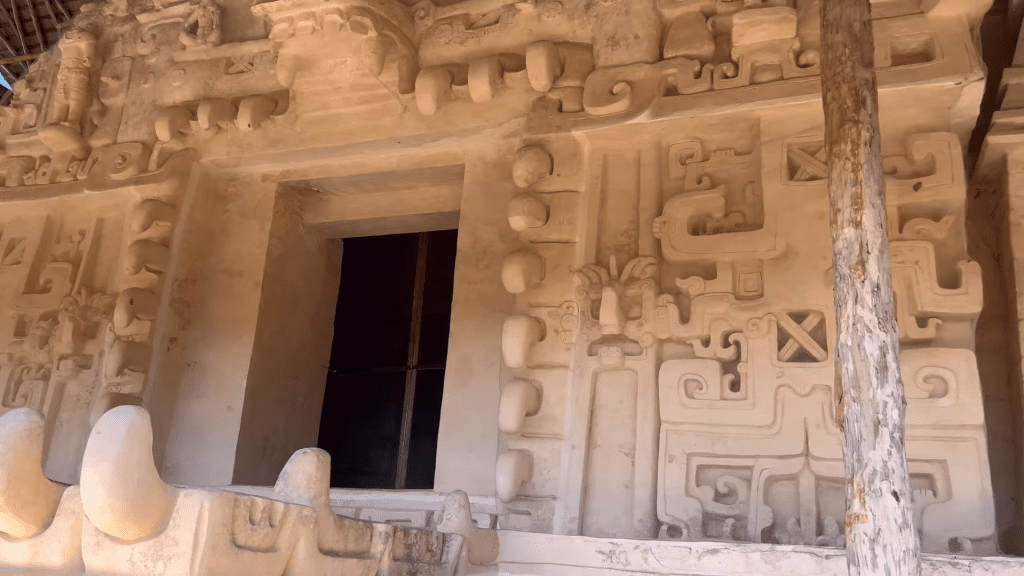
column 880, row 533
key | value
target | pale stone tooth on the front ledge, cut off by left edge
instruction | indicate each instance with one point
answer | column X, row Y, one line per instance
column 28, row 500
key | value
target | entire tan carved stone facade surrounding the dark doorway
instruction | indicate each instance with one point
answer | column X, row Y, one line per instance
column 643, row 330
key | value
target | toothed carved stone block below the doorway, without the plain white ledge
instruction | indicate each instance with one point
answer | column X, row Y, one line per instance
column 123, row 519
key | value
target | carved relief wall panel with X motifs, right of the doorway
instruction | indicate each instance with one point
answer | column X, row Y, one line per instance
column 748, row 447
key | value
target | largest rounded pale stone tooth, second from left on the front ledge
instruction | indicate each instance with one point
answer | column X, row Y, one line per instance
column 122, row 492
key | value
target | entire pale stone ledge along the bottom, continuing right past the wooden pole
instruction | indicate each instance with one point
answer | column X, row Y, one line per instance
column 124, row 520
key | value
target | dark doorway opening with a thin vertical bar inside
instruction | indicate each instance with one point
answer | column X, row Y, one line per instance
column 383, row 398
